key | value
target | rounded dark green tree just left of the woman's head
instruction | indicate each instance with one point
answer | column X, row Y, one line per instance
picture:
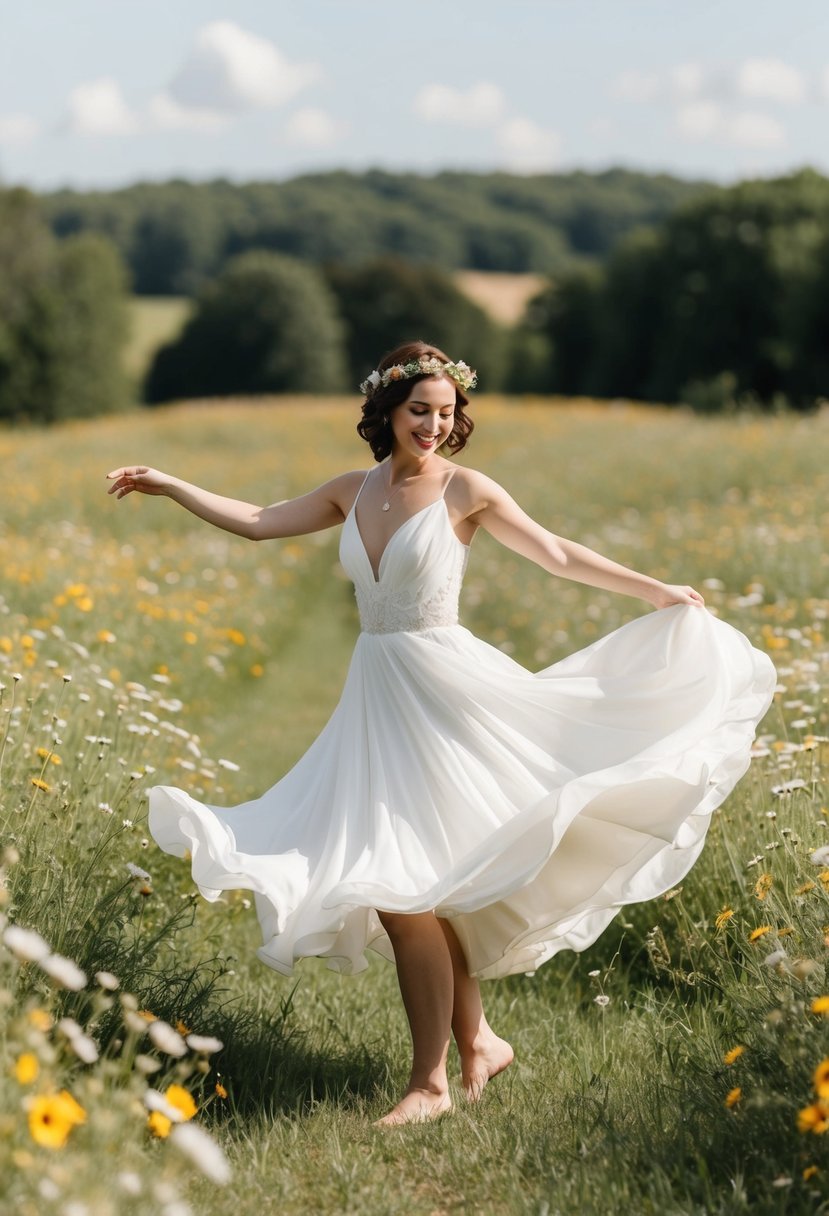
column 268, row 324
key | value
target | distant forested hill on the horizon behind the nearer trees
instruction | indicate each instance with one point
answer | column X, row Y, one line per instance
column 176, row 235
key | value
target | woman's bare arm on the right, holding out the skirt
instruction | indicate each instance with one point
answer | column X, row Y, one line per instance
column 498, row 514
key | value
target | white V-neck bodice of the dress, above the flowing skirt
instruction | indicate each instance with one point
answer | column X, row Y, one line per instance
column 420, row 575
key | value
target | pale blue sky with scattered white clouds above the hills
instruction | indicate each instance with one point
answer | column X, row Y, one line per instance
column 106, row 93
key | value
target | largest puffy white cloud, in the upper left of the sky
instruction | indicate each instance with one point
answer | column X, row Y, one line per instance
column 230, row 70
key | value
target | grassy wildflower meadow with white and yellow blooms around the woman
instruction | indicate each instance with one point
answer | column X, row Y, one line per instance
column 140, row 646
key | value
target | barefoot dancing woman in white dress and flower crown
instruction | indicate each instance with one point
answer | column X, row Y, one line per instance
column 459, row 814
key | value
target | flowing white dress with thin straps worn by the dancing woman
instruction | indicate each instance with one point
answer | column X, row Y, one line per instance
column 529, row 808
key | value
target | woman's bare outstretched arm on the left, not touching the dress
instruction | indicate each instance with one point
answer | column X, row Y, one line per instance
column 324, row 508
